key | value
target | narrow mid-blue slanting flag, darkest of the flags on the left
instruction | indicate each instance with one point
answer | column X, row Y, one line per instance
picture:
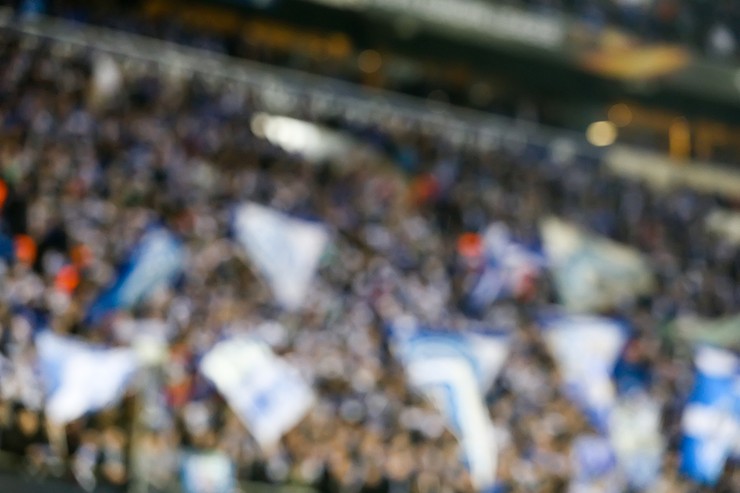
column 156, row 261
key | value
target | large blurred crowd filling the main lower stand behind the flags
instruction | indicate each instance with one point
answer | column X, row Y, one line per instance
column 80, row 182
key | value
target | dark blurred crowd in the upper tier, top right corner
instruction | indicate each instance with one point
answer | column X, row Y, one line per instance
column 712, row 26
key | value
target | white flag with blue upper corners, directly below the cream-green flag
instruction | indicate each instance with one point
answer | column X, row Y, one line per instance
column 586, row 349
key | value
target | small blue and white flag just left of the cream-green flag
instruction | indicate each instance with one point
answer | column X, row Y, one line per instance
column 509, row 266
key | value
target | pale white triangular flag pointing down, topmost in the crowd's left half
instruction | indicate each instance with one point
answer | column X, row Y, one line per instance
column 285, row 250
